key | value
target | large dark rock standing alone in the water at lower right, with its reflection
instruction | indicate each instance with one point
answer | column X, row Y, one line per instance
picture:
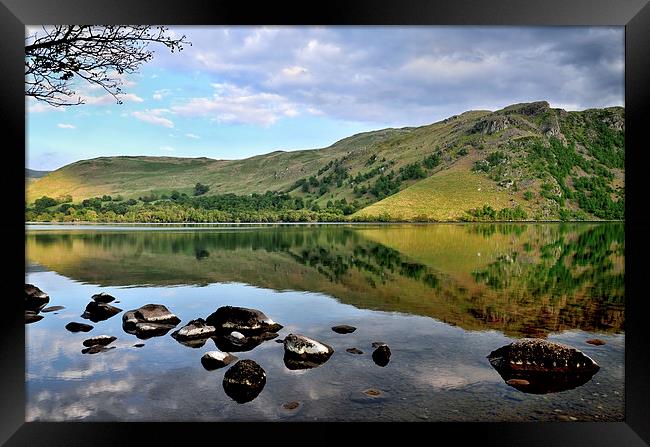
column 548, row 367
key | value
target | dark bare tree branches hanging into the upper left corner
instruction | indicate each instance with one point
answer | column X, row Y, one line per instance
column 97, row 54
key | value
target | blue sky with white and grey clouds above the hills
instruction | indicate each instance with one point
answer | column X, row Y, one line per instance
column 242, row 91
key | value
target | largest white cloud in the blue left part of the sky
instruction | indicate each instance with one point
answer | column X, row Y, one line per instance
column 232, row 104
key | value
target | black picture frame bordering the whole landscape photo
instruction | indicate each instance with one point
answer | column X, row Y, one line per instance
column 633, row 14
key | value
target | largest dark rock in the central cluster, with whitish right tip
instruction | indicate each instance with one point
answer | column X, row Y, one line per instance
column 241, row 319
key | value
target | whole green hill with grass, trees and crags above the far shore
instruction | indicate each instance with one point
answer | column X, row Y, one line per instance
column 546, row 163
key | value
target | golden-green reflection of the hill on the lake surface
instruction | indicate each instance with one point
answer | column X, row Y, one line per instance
column 529, row 280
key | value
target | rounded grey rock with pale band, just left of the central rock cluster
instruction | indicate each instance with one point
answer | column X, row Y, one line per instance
column 150, row 320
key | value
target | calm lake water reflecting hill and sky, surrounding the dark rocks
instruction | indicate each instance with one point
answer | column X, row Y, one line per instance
column 441, row 296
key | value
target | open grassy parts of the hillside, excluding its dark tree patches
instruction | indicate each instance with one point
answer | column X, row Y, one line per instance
column 448, row 192
